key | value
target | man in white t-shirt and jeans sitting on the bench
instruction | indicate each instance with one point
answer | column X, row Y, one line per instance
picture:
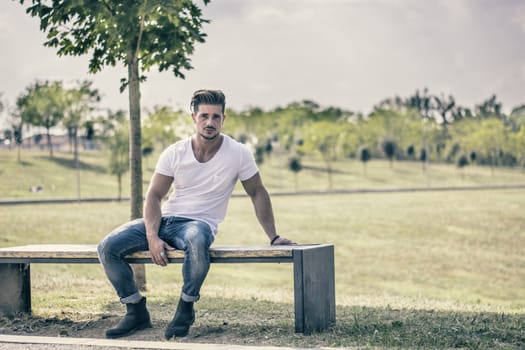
column 203, row 170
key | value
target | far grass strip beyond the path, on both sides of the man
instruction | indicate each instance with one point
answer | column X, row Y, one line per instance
column 58, row 176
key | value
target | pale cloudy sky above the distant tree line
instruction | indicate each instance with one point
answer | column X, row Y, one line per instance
column 344, row 53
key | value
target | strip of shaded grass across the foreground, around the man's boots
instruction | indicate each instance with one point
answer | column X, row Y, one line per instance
column 252, row 322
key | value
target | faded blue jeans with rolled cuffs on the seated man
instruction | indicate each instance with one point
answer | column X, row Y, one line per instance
column 192, row 236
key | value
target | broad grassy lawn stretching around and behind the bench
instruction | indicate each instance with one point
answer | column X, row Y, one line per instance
column 413, row 270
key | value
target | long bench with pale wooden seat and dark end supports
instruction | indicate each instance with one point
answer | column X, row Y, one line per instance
column 313, row 274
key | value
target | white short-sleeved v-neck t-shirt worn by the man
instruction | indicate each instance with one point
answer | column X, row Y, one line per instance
column 202, row 190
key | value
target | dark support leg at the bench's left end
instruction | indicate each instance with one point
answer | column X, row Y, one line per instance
column 15, row 288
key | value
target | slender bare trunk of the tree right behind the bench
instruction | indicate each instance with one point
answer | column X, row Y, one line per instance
column 135, row 152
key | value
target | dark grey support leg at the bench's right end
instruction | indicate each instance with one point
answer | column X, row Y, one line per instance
column 314, row 289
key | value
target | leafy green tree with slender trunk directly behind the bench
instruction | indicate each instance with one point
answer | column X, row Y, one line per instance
column 139, row 34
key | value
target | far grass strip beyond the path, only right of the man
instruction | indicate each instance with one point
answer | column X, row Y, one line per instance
column 351, row 174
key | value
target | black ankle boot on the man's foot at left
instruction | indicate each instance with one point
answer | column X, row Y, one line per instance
column 136, row 318
